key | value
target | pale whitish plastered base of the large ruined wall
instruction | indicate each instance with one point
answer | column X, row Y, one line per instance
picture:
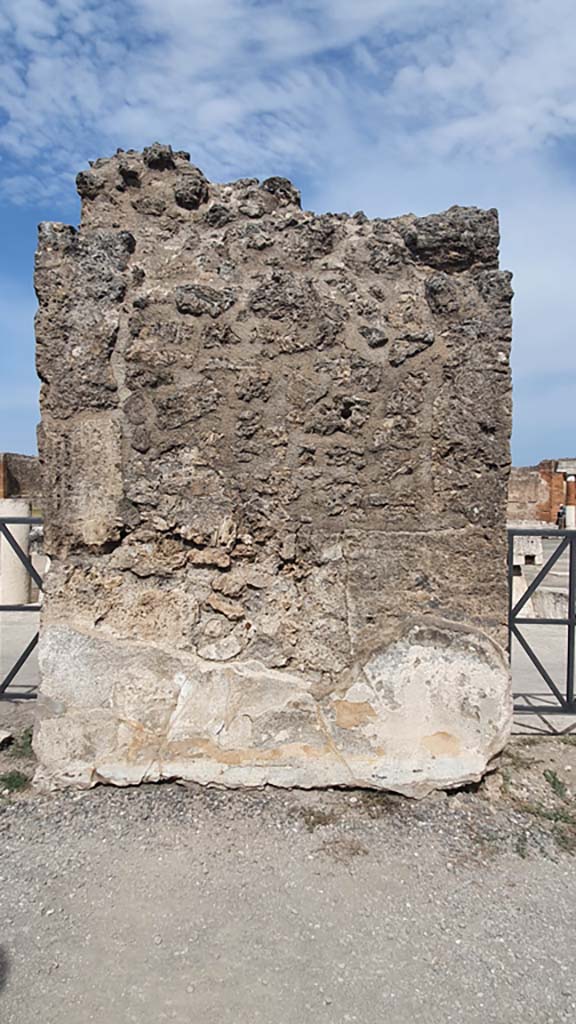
column 429, row 712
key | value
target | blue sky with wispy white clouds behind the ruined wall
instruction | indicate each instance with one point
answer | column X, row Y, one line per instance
column 386, row 106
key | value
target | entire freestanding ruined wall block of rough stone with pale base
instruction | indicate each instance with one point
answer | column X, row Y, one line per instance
column 275, row 451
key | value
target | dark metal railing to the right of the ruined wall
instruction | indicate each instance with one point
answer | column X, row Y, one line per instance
column 567, row 543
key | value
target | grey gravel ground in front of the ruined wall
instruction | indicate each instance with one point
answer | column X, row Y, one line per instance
column 181, row 904
